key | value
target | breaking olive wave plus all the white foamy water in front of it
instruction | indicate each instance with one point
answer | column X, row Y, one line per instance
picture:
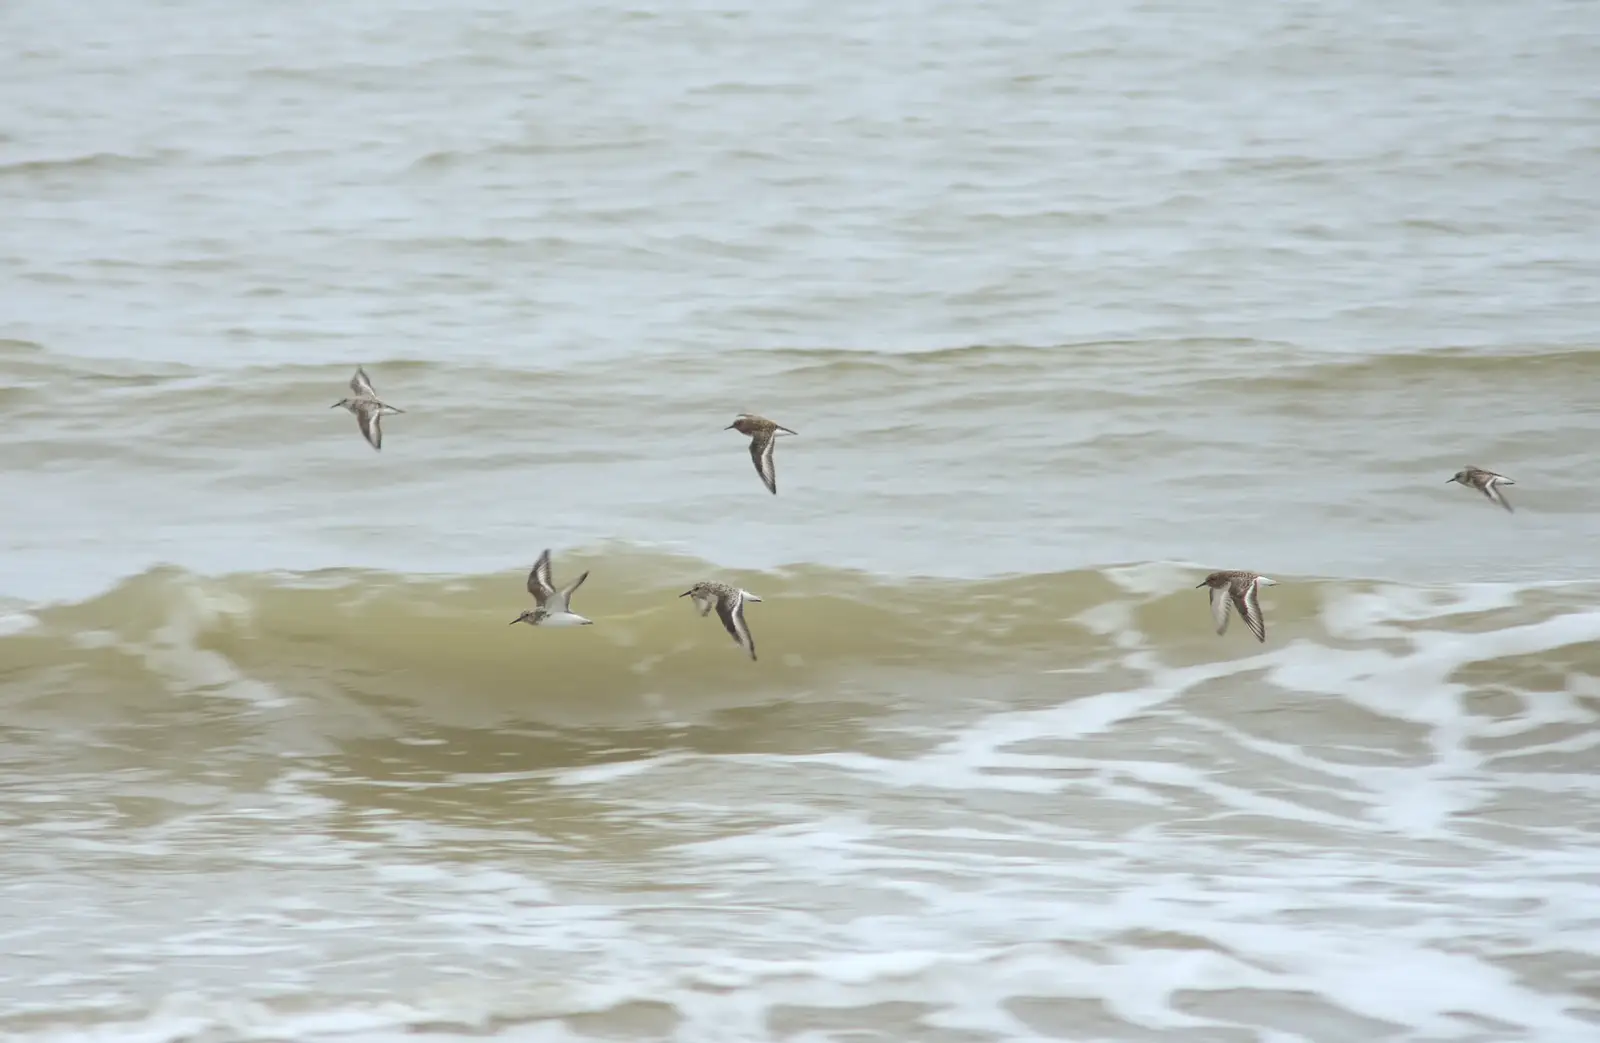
column 1377, row 826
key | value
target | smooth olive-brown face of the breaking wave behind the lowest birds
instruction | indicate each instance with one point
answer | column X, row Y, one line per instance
column 442, row 642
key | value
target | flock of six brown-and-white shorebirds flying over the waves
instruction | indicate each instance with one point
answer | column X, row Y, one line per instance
column 1231, row 589
